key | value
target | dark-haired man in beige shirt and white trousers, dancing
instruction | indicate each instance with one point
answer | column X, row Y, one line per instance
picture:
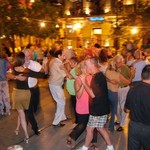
column 56, row 80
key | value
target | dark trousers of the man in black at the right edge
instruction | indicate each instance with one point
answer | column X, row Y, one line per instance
column 138, row 136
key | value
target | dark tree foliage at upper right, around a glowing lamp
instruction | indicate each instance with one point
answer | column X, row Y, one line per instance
column 140, row 18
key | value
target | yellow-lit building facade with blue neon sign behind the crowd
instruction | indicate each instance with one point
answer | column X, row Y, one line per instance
column 85, row 20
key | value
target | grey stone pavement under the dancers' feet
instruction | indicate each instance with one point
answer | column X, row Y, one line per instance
column 51, row 138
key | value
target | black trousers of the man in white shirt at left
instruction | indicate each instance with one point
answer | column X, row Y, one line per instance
column 34, row 101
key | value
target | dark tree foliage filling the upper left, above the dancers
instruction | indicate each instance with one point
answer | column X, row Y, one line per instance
column 21, row 18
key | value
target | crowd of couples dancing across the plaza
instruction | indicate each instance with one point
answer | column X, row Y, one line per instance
column 103, row 87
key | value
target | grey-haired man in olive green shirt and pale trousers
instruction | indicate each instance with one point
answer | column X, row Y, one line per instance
column 122, row 90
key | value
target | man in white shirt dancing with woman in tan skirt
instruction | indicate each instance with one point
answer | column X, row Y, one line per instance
column 33, row 85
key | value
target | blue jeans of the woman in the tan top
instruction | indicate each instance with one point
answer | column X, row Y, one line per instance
column 113, row 99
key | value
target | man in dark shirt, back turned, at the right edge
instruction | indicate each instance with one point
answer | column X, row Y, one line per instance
column 138, row 104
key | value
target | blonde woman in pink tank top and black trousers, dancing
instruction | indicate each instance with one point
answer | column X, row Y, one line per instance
column 82, row 106
